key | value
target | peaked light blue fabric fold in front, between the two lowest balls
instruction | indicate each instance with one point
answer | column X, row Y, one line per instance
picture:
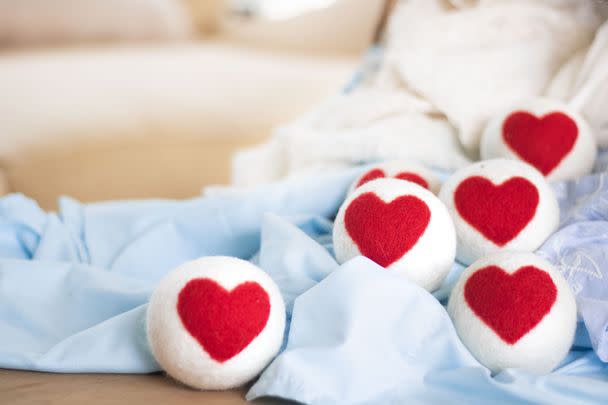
column 367, row 336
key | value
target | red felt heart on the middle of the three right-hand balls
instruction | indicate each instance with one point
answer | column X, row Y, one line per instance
column 499, row 212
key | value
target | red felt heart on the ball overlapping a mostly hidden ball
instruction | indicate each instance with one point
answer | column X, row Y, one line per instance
column 384, row 232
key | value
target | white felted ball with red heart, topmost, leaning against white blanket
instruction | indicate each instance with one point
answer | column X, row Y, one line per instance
column 547, row 134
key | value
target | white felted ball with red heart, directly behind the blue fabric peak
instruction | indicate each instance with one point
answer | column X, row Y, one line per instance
column 400, row 226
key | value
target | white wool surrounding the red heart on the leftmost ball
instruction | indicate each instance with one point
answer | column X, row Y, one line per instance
column 181, row 355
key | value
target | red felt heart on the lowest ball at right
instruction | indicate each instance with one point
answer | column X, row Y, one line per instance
column 510, row 304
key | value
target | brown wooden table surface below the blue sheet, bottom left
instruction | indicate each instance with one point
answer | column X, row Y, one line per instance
column 26, row 387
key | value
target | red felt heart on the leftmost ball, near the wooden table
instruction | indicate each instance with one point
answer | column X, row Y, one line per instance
column 223, row 322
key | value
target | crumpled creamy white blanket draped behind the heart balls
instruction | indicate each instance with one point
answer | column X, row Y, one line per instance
column 447, row 67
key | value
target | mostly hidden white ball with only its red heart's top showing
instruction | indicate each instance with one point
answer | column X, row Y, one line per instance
column 402, row 170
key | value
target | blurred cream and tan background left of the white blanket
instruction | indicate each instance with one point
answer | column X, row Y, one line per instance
column 109, row 99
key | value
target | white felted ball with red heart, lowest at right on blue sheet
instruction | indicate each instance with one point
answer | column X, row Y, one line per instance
column 514, row 310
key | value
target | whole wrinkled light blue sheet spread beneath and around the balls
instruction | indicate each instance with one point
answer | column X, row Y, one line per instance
column 74, row 287
